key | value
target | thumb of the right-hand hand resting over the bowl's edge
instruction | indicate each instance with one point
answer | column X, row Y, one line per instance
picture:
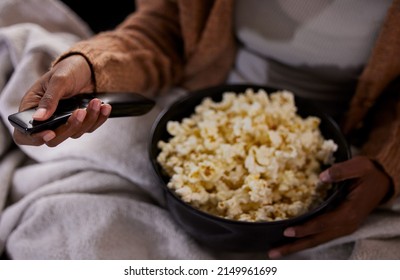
column 350, row 169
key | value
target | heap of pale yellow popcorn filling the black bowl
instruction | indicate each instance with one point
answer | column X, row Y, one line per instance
column 249, row 157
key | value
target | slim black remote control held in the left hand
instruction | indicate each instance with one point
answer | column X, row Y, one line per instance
column 124, row 104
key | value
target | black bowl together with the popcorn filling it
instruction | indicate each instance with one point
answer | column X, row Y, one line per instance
column 240, row 163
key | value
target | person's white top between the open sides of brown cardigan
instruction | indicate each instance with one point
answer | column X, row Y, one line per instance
column 316, row 48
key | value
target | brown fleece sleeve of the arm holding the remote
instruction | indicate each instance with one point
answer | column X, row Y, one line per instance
column 143, row 54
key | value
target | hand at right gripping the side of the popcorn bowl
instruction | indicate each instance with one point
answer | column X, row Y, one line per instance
column 369, row 186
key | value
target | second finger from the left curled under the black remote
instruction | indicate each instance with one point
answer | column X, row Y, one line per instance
column 73, row 126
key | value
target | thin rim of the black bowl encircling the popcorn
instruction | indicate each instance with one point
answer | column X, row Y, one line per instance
column 338, row 187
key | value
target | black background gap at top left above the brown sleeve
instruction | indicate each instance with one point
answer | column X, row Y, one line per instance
column 102, row 15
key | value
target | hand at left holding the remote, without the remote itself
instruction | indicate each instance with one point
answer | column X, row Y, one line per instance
column 67, row 78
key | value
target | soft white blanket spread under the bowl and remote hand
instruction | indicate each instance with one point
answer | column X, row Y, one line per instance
column 96, row 197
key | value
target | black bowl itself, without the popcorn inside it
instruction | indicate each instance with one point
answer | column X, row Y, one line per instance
column 225, row 234
